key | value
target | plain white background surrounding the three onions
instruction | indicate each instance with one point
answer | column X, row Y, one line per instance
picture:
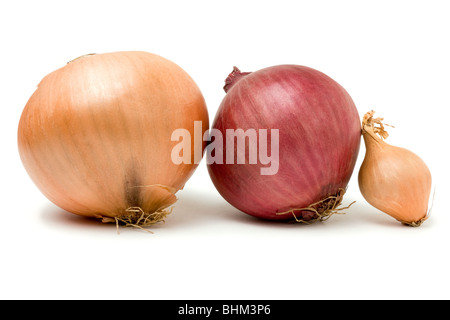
column 391, row 56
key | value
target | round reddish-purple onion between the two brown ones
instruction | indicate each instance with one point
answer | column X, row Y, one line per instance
column 319, row 140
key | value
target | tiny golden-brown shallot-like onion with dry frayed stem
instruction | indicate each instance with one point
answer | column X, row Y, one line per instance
column 393, row 179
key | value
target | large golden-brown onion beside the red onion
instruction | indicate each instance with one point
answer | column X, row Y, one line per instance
column 95, row 137
